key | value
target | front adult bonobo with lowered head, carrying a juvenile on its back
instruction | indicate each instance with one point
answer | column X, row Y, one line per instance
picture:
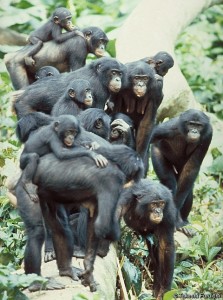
column 92, row 186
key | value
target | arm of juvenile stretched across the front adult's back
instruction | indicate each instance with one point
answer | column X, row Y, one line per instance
column 64, row 153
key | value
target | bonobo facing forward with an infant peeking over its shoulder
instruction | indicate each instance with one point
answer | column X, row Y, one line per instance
column 140, row 99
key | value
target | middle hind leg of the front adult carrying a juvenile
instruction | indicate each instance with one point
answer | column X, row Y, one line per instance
column 55, row 217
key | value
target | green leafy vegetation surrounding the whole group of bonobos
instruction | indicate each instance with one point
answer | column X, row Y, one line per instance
column 199, row 51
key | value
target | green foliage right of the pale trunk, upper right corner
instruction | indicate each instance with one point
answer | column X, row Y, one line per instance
column 200, row 55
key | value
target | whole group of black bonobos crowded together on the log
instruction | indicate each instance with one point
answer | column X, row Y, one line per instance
column 87, row 131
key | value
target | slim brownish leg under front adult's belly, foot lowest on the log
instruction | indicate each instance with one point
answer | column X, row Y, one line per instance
column 87, row 278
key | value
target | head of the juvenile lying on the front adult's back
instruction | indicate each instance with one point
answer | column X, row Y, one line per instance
column 67, row 128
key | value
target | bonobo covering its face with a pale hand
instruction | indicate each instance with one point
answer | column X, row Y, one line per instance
column 122, row 130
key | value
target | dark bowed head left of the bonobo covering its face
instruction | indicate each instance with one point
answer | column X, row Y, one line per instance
column 95, row 120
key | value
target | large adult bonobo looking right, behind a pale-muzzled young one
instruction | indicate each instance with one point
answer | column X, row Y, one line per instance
column 104, row 74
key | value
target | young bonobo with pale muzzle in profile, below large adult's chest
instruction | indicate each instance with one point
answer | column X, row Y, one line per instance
column 78, row 96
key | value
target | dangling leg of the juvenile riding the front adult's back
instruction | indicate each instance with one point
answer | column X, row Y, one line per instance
column 28, row 163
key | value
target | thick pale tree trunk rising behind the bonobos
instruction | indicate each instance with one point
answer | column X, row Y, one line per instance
column 154, row 26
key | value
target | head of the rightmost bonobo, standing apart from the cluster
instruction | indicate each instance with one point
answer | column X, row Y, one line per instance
column 193, row 124
